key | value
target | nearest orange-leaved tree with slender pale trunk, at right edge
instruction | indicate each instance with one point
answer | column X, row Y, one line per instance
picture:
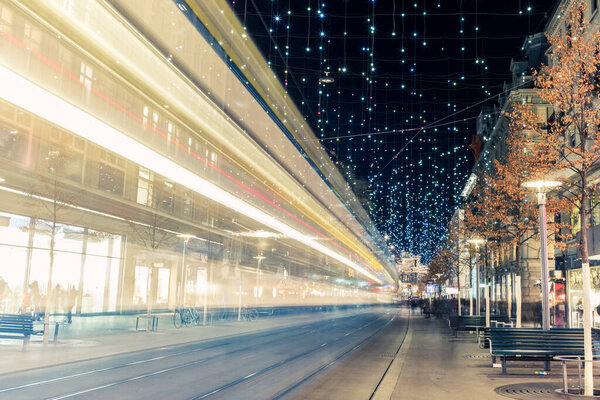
column 571, row 84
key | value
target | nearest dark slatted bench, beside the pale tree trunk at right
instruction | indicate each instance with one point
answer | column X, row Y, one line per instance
column 534, row 344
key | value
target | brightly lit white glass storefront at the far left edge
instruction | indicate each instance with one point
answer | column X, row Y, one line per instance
column 86, row 266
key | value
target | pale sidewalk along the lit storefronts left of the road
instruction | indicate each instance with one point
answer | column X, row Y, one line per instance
column 93, row 337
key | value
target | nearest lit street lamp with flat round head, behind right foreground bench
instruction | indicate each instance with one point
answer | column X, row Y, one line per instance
column 541, row 187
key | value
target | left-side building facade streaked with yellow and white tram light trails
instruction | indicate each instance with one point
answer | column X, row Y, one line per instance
column 148, row 161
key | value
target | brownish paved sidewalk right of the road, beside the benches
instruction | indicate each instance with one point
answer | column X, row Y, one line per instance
column 433, row 364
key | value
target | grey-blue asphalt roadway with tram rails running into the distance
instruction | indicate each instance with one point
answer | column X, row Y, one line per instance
column 275, row 364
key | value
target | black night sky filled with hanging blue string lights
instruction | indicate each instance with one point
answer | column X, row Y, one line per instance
column 410, row 77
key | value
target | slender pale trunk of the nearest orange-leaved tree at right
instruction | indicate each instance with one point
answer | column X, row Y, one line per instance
column 586, row 288
